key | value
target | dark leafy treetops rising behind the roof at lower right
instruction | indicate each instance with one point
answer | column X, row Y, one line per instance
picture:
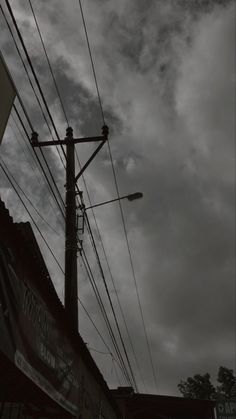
column 200, row 386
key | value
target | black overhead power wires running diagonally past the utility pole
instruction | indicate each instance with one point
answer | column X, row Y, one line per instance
column 40, row 163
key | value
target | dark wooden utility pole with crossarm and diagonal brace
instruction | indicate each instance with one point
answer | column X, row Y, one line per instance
column 71, row 245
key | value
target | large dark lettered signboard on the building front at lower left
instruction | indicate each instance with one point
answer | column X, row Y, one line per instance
column 33, row 340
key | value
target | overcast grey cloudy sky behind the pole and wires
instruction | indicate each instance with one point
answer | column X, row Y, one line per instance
column 166, row 72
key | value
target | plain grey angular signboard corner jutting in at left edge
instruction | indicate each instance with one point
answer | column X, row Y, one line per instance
column 7, row 96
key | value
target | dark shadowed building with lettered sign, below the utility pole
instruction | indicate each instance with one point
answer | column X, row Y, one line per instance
column 46, row 370
